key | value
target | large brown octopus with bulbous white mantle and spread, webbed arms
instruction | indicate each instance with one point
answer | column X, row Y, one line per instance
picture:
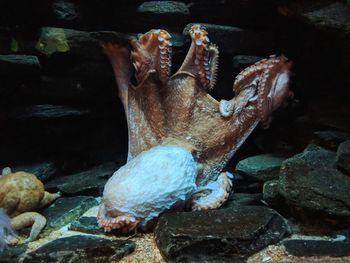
column 180, row 137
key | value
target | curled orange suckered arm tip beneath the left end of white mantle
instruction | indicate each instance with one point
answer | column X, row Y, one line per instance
column 124, row 222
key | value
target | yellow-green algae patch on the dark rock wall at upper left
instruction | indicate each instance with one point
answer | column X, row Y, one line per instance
column 52, row 40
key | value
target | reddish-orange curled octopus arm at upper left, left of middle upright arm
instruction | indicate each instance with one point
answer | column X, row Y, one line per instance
column 152, row 53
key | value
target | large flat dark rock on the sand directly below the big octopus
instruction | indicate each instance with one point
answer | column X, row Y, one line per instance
column 225, row 235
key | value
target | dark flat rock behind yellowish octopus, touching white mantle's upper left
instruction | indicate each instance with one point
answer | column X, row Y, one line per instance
column 89, row 182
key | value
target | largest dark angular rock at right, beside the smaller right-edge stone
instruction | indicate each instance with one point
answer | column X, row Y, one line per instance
column 311, row 180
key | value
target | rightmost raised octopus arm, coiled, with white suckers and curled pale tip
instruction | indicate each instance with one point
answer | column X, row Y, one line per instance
column 265, row 78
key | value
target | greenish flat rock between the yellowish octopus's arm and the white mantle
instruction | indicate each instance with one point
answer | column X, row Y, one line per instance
column 66, row 210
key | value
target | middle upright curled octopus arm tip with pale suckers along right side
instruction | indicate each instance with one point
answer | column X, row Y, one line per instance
column 202, row 58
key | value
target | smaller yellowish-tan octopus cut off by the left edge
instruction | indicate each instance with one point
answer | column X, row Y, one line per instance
column 21, row 194
